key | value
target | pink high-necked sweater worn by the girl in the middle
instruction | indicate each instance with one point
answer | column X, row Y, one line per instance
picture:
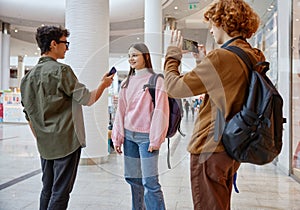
column 136, row 110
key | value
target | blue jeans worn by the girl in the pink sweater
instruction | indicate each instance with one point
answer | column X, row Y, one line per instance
column 141, row 172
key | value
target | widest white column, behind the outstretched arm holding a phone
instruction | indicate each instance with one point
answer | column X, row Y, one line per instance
column 88, row 55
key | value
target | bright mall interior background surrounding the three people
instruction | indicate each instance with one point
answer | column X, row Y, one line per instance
column 101, row 32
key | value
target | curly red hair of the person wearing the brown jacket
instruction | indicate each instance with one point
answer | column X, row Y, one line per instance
column 236, row 17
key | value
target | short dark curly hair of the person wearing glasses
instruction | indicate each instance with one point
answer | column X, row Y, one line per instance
column 45, row 34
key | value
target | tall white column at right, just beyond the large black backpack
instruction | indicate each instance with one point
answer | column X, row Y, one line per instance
column 284, row 77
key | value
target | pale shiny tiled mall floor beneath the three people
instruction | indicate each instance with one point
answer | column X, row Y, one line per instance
column 102, row 187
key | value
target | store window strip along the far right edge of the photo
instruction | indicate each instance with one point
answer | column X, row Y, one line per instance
column 296, row 89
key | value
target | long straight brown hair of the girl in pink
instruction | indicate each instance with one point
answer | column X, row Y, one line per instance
column 148, row 64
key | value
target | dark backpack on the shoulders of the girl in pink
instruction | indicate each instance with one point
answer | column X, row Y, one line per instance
column 175, row 106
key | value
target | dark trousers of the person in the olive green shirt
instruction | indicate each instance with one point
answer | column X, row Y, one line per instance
column 58, row 180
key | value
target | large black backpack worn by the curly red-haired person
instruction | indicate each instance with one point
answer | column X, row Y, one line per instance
column 254, row 135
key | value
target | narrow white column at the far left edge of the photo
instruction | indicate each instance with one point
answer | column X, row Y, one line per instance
column 5, row 56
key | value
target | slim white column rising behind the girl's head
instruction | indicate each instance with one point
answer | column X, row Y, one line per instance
column 153, row 32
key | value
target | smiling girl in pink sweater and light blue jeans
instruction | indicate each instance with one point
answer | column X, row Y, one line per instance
column 141, row 129
